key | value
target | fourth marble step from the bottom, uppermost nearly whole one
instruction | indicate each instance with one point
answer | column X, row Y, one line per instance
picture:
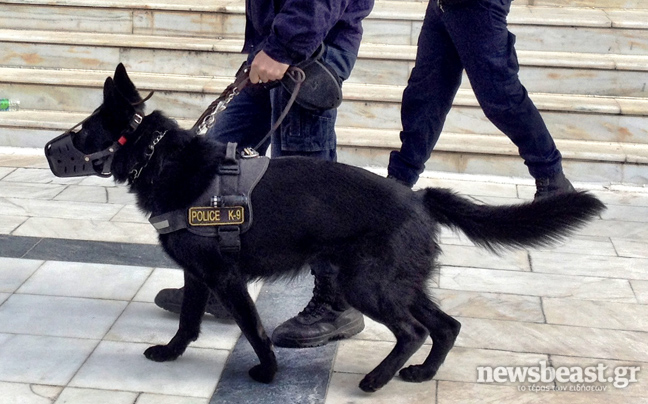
column 393, row 22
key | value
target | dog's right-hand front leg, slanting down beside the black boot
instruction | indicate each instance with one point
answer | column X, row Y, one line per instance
column 233, row 293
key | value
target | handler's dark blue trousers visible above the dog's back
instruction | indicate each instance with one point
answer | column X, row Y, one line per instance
column 303, row 132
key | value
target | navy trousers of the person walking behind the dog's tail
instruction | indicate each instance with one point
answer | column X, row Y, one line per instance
column 471, row 36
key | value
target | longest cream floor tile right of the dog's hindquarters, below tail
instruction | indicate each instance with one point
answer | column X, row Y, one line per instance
column 536, row 284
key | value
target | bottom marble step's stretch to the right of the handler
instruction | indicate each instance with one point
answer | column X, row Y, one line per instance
column 586, row 161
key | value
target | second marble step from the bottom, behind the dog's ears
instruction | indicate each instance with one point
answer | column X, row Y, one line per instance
column 572, row 117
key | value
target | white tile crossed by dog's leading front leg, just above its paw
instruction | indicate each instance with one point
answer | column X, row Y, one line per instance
column 145, row 322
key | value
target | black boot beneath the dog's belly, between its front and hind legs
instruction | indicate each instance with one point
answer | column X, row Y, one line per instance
column 316, row 325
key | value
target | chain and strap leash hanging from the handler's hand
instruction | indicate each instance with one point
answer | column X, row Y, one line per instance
column 242, row 80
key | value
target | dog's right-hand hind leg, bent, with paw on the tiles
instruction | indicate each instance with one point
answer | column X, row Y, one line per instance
column 443, row 331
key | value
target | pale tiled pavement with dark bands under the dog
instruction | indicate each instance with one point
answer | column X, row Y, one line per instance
column 79, row 267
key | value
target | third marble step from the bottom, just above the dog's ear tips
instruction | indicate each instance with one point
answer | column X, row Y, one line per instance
column 547, row 72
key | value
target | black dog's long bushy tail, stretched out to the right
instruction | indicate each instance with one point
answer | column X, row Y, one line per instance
column 533, row 224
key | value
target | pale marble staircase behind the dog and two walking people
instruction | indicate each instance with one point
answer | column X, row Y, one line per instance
column 584, row 62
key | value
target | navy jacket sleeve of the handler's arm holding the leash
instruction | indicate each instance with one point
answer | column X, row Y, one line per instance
column 300, row 26
